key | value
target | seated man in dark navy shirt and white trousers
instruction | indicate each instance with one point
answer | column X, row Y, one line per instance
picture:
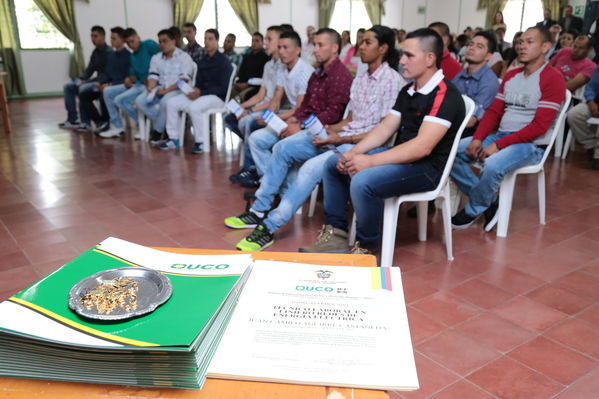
column 212, row 82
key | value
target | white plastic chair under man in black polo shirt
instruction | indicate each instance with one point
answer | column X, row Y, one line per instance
column 391, row 207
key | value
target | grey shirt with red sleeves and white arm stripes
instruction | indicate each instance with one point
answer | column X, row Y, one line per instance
column 525, row 106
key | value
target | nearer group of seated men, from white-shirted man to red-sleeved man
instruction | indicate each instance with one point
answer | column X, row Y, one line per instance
column 424, row 114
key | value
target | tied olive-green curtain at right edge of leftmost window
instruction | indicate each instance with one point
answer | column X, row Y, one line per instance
column 61, row 14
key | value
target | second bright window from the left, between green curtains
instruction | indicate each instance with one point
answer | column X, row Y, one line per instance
column 220, row 15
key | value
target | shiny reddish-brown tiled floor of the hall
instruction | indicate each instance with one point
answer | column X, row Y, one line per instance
column 508, row 318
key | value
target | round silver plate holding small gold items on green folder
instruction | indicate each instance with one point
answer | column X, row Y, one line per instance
column 154, row 289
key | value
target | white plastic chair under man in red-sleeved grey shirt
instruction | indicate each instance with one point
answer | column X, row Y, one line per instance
column 506, row 190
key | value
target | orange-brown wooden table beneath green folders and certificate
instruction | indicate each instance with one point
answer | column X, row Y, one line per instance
column 17, row 388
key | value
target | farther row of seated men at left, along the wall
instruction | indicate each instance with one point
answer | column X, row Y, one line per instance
column 123, row 76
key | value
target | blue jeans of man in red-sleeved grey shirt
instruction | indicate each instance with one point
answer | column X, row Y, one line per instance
column 482, row 191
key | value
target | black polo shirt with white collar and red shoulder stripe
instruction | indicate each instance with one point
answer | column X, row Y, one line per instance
column 438, row 101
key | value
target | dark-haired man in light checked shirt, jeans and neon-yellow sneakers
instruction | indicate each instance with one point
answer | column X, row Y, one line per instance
column 372, row 96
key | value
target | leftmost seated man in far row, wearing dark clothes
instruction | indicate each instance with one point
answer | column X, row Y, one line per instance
column 85, row 82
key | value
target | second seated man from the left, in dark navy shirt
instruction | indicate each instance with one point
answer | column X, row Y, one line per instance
column 117, row 67
